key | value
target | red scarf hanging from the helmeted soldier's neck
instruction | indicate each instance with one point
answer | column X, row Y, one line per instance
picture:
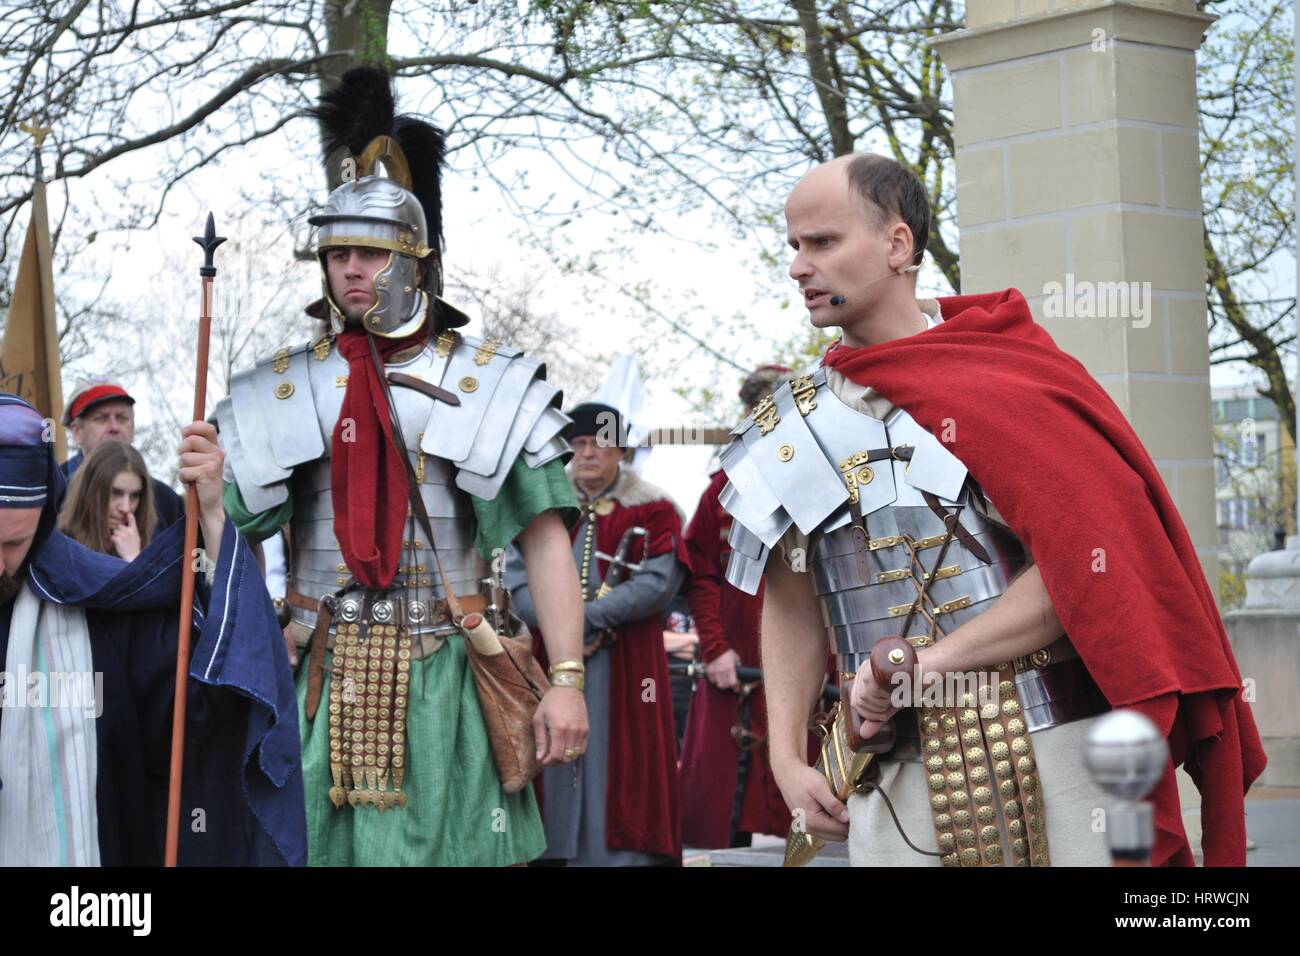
column 367, row 477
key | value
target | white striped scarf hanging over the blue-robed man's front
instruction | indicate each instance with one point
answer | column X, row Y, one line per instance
column 47, row 747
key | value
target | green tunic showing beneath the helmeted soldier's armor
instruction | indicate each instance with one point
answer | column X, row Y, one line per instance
column 457, row 814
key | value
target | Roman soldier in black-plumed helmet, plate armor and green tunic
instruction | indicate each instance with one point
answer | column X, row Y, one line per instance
column 396, row 752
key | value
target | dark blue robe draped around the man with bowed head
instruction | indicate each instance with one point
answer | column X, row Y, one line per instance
column 242, row 791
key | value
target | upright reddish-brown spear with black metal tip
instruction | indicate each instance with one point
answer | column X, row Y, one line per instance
column 209, row 241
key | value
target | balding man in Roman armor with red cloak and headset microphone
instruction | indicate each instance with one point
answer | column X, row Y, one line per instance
column 874, row 481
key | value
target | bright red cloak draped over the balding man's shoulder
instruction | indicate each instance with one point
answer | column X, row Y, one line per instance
column 1050, row 447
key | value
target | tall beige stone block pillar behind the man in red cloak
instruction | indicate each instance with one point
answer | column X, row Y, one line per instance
column 1078, row 183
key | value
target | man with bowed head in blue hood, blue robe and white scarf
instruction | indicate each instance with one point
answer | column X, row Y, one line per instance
column 89, row 647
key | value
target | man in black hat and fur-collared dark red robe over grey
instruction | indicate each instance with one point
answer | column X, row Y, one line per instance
column 619, row 804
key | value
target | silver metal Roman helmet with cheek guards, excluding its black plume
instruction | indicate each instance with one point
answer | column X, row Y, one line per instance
column 378, row 213
